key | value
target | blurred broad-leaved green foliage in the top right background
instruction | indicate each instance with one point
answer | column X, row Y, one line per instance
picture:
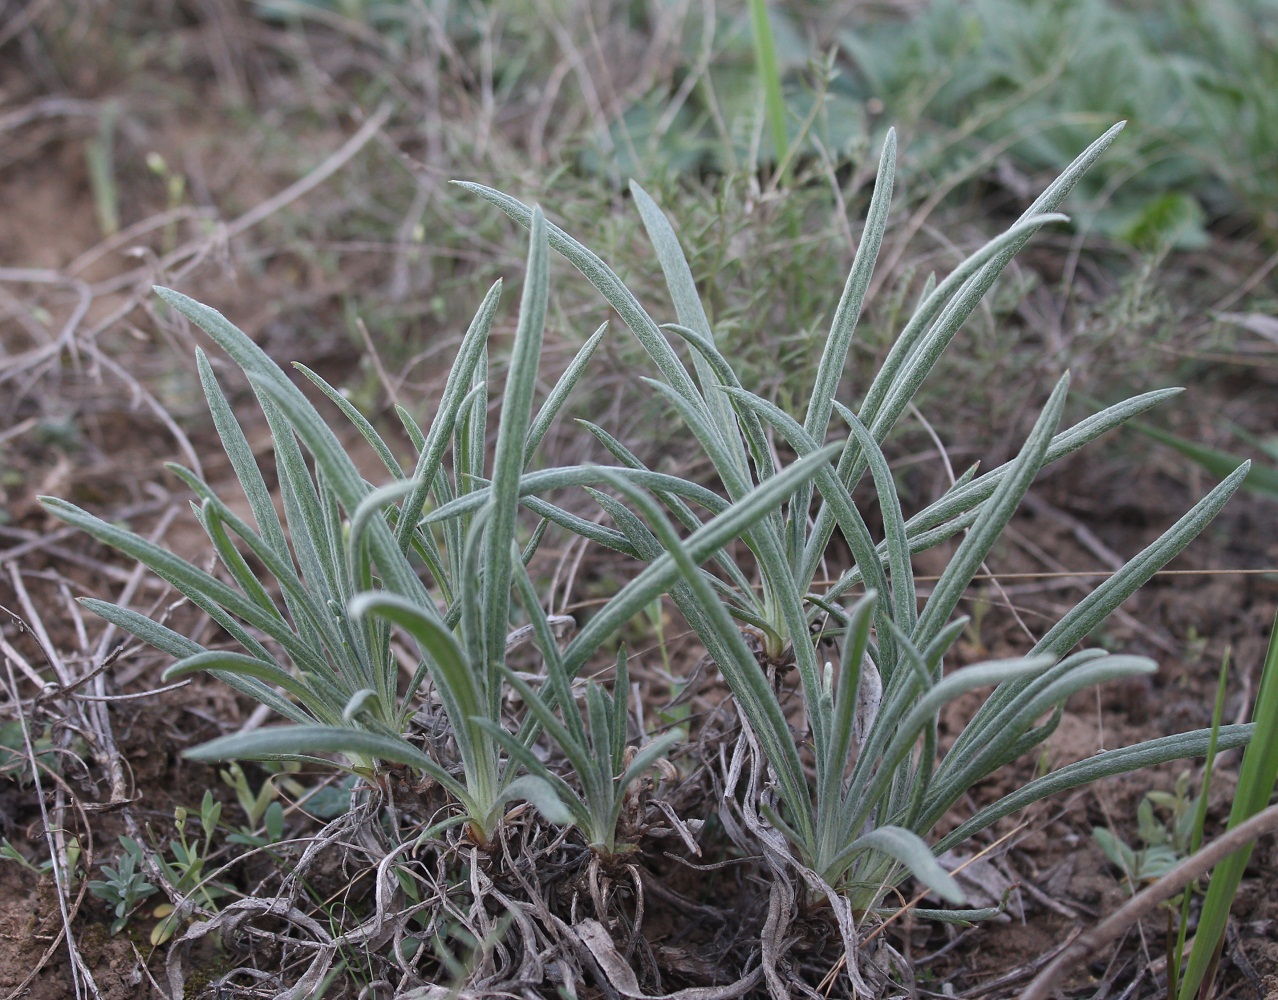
column 1026, row 81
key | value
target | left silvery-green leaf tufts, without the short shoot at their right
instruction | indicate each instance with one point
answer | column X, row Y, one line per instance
column 334, row 675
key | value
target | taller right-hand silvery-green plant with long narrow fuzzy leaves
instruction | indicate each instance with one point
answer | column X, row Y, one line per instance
column 877, row 788
